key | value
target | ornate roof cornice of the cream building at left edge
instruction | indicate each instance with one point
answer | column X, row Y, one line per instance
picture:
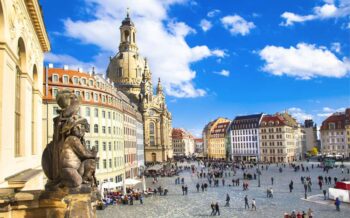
column 35, row 14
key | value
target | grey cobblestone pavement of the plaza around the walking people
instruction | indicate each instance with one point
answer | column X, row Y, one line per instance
column 198, row 204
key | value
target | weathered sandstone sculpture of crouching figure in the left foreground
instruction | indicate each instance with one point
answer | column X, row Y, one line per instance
column 66, row 161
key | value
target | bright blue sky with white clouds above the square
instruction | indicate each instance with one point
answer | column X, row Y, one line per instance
column 219, row 58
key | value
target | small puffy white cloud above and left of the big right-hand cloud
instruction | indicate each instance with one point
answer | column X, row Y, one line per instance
column 237, row 25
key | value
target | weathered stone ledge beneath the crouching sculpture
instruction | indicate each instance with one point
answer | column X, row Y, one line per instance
column 64, row 202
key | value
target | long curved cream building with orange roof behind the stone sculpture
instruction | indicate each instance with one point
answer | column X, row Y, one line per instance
column 101, row 105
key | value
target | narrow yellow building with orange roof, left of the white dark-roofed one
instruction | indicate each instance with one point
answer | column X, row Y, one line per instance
column 214, row 137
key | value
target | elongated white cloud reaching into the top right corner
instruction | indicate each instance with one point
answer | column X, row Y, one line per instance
column 330, row 9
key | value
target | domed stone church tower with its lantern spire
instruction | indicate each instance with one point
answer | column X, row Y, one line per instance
column 127, row 66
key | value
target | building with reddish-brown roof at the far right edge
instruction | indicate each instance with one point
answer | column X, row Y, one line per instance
column 334, row 134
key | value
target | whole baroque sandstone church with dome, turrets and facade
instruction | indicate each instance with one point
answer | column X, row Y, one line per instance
column 131, row 74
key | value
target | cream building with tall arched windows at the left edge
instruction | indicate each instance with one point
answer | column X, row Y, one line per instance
column 23, row 42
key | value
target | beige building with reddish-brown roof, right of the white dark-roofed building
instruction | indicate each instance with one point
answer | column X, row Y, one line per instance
column 279, row 138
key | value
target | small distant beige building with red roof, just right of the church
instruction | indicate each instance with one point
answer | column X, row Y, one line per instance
column 183, row 142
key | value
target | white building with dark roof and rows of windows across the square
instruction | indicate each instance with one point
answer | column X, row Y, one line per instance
column 244, row 138
